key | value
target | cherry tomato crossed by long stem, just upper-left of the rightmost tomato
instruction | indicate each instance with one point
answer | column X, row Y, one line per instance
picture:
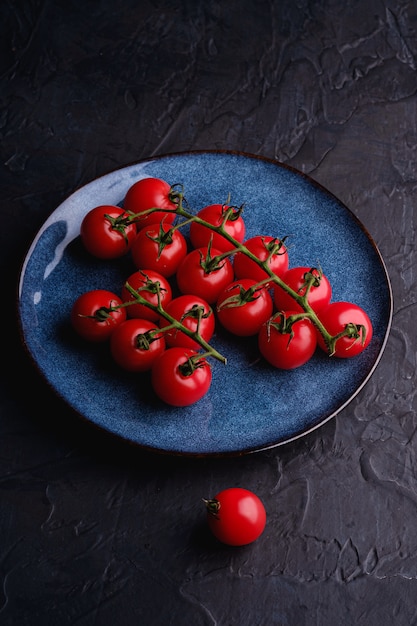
column 297, row 278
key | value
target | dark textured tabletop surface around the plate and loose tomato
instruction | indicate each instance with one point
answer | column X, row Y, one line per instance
column 95, row 533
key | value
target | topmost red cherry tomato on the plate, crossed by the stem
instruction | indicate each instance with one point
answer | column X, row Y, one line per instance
column 149, row 193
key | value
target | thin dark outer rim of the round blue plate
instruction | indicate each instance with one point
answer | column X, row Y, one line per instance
column 221, row 453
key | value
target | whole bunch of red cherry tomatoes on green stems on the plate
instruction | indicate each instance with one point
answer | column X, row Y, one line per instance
column 246, row 286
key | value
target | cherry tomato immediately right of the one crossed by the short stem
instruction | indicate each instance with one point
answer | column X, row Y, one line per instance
column 242, row 308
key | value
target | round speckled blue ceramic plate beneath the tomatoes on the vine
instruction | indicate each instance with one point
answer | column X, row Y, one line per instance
column 250, row 405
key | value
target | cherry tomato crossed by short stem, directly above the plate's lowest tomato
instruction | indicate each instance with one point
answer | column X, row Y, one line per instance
column 195, row 314
